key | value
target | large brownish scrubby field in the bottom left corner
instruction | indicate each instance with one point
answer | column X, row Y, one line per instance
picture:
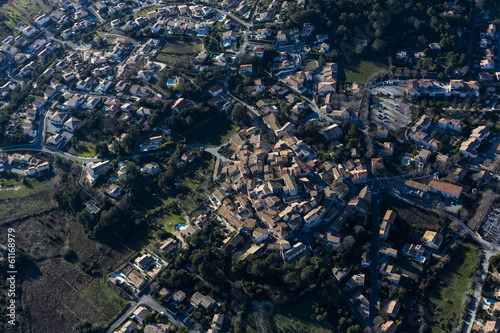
column 60, row 295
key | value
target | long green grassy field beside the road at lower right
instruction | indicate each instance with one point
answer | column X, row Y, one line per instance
column 447, row 293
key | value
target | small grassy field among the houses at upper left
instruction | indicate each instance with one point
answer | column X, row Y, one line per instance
column 176, row 53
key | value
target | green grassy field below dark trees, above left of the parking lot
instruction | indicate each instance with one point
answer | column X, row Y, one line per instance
column 359, row 70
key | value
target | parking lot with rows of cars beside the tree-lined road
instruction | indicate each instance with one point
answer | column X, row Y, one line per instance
column 389, row 113
